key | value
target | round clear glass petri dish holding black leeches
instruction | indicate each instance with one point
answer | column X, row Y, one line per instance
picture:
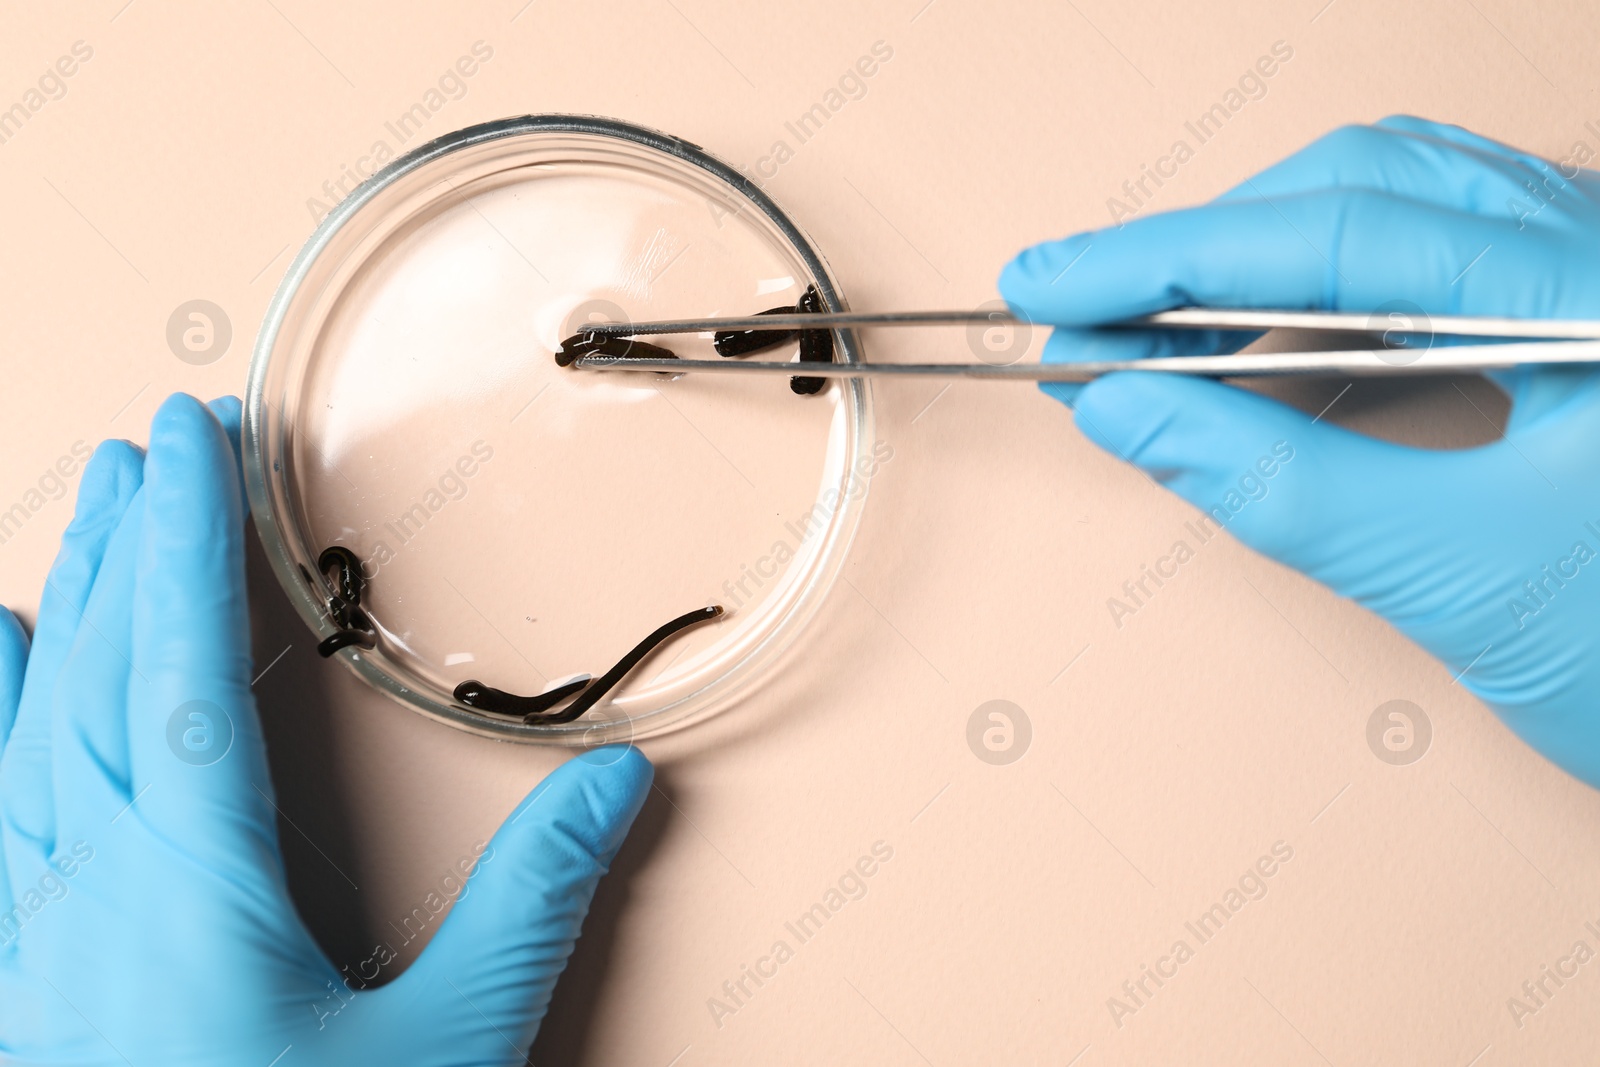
column 519, row 524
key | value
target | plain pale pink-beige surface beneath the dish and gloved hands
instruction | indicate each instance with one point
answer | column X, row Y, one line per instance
column 1172, row 754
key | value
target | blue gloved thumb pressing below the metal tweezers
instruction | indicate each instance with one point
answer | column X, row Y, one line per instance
column 1292, row 489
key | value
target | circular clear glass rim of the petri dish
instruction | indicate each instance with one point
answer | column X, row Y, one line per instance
column 268, row 481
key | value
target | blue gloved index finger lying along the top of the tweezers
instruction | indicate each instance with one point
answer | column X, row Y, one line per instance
column 1324, row 250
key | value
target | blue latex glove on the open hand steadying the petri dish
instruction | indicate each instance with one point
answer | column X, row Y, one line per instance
column 140, row 837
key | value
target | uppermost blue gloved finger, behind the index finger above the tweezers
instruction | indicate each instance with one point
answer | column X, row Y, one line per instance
column 1409, row 164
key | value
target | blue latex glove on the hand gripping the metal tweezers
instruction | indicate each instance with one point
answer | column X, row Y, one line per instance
column 1486, row 557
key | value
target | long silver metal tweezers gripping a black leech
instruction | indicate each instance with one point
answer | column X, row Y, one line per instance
column 1524, row 342
